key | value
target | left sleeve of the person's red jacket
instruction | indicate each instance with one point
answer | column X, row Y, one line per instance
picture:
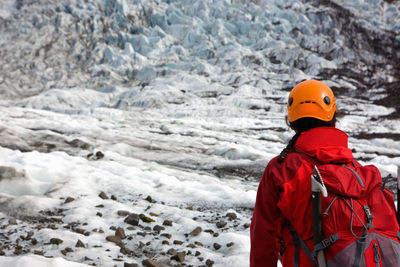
column 263, row 231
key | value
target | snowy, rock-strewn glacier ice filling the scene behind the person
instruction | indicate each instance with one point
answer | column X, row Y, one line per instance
column 135, row 132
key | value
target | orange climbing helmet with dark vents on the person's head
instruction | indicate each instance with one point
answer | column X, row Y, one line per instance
column 312, row 99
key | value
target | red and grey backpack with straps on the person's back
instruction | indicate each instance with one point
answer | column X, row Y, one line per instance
column 358, row 218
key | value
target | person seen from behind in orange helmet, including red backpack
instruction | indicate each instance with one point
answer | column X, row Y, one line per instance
column 283, row 210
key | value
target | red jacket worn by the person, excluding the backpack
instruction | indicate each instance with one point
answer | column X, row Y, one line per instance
column 269, row 233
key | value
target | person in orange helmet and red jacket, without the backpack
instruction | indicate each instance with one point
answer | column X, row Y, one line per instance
column 284, row 194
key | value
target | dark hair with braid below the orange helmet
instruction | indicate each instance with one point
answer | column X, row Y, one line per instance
column 302, row 125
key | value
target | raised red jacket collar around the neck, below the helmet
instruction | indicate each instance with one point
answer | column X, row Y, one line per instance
column 327, row 144
